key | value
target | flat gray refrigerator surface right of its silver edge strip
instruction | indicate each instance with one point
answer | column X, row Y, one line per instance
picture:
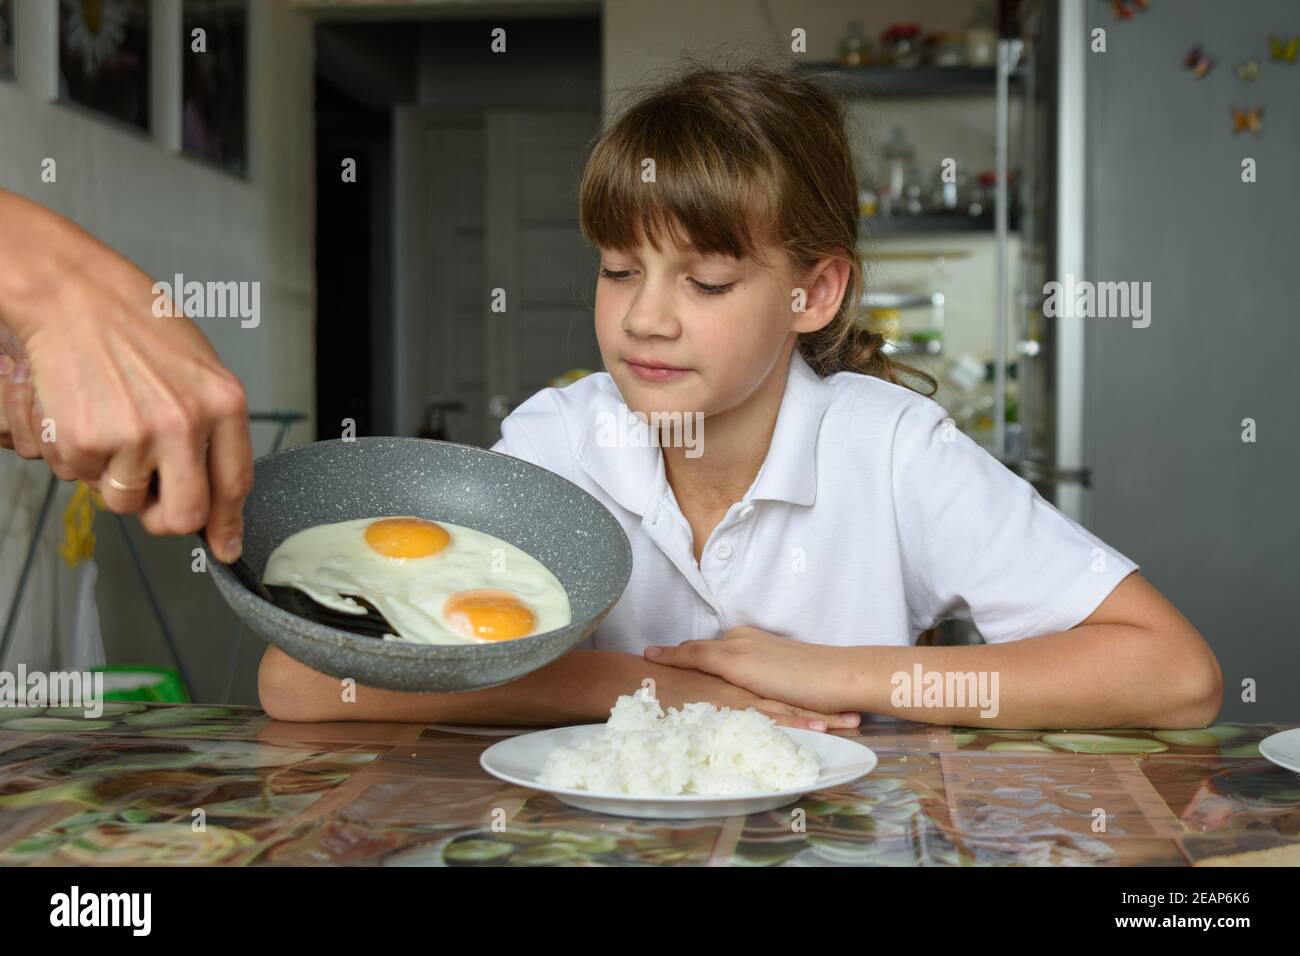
column 1212, row 521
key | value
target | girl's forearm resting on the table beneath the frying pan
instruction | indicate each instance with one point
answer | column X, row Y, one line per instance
column 579, row 687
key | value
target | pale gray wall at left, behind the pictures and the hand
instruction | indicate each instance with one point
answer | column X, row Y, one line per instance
column 171, row 214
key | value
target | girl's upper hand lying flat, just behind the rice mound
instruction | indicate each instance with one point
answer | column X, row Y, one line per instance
column 769, row 665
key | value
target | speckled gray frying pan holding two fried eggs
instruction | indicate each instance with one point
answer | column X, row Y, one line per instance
column 551, row 518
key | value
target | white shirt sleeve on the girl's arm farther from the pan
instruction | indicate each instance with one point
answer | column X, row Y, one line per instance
column 981, row 544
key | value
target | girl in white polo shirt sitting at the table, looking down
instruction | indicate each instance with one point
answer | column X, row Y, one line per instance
column 791, row 552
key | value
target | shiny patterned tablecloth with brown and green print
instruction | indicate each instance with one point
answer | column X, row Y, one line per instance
column 222, row 785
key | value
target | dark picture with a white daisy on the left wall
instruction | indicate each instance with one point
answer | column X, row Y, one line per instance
column 105, row 58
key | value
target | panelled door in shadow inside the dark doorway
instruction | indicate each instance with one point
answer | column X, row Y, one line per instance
column 488, row 220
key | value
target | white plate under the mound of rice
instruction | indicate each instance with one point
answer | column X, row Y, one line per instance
column 521, row 762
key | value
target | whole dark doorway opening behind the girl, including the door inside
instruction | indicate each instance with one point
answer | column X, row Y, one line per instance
column 452, row 271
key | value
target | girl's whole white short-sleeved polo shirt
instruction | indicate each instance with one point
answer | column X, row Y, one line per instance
column 872, row 520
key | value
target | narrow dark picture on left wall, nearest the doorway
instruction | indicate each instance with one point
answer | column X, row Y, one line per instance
column 215, row 84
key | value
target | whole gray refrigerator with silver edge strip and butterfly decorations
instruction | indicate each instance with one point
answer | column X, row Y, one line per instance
column 1173, row 436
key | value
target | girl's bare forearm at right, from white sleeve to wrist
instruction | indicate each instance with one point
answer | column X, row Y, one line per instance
column 1094, row 676
